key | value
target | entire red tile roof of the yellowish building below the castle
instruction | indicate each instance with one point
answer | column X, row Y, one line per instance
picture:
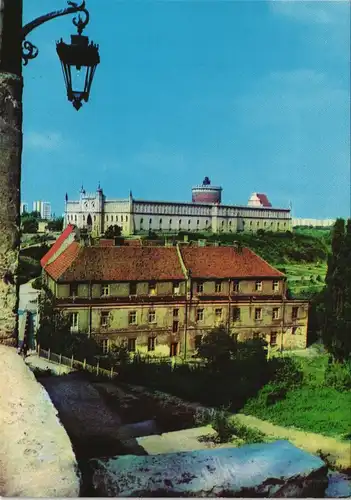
column 131, row 263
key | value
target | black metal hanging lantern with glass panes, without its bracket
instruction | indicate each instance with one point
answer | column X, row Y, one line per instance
column 79, row 54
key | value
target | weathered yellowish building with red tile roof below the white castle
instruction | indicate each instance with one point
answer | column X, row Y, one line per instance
column 162, row 300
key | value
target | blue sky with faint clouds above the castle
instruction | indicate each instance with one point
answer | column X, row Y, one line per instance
column 254, row 95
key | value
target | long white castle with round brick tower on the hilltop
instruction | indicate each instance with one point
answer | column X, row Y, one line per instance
column 204, row 214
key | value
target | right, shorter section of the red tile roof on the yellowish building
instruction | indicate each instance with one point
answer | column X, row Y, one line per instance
column 226, row 262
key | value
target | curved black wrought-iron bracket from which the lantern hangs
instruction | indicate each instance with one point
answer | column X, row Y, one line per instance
column 29, row 50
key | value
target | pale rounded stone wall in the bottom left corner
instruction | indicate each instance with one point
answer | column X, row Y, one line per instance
column 36, row 455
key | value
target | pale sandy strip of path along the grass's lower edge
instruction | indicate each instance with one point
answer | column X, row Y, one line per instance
column 337, row 452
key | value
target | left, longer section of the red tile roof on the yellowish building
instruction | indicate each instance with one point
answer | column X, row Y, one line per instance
column 122, row 263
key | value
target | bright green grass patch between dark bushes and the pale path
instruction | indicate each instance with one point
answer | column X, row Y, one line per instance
column 312, row 407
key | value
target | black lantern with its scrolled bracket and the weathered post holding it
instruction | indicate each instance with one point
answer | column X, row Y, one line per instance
column 15, row 52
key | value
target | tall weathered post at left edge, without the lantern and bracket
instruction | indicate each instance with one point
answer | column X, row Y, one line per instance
column 11, row 85
